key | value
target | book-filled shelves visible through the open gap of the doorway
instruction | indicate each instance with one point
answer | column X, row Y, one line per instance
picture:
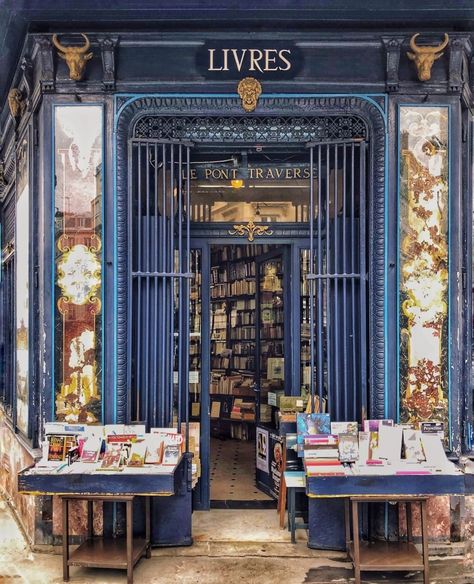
column 233, row 340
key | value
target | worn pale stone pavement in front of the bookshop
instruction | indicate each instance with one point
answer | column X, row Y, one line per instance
column 231, row 547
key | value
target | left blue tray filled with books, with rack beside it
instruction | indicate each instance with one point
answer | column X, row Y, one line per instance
column 80, row 458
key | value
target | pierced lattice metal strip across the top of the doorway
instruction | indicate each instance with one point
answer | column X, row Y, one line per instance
column 251, row 128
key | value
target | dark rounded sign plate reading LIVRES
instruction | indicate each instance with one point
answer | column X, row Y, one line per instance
column 259, row 59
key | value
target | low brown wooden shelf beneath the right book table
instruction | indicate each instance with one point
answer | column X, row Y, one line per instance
column 388, row 555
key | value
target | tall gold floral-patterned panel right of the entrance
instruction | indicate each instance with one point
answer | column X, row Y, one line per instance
column 424, row 263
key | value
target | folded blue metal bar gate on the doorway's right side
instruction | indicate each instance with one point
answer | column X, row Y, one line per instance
column 337, row 278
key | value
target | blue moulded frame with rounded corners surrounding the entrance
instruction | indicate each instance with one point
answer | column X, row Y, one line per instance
column 131, row 110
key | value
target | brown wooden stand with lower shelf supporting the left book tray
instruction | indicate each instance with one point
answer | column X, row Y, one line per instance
column 101, row 552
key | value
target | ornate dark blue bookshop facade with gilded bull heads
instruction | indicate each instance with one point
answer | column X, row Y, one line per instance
column 214, row 231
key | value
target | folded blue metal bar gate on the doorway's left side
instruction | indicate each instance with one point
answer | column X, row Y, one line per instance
column 159, row 255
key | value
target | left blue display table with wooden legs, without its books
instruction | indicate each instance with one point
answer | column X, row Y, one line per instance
column 114, row 487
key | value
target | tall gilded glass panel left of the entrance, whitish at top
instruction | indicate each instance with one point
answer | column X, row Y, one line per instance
column 78, row 263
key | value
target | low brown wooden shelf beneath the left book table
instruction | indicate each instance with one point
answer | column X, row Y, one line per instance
column 106, row 553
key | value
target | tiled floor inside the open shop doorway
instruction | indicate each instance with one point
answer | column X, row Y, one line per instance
column 233, row 471
